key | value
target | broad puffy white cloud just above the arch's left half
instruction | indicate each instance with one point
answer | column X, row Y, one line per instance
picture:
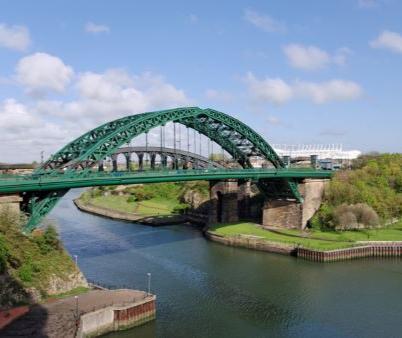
column 112, row 94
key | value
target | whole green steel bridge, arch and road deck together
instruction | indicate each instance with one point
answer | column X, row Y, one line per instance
column 73, row 165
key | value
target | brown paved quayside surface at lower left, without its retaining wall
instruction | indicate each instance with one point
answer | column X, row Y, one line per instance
column 59, row 318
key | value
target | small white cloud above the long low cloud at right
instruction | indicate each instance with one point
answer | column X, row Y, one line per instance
column 312, row 57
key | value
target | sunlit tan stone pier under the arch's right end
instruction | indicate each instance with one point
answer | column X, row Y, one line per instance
column 291, row 214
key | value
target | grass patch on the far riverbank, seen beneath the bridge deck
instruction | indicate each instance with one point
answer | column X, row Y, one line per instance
column 154, row 206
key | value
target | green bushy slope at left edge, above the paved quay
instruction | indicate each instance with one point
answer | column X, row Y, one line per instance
column 29, row 261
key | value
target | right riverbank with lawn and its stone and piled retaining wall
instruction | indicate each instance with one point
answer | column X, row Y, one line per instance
column 317, row 246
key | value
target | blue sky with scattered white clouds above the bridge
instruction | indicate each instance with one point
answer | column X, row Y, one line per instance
column 297, row 72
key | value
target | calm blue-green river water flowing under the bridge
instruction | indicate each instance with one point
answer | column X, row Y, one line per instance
column 205, row 289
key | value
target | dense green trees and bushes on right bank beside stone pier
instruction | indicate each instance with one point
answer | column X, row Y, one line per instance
column 376, row 181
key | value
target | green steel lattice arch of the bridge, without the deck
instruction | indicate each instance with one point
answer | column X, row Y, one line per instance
column 235, row 137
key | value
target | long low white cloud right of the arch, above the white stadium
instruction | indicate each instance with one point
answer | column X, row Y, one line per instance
column 278, row 91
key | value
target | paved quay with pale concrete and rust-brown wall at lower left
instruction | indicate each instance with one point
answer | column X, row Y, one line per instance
column 90, row 314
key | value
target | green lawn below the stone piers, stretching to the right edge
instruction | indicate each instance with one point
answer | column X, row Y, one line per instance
column 314, row 239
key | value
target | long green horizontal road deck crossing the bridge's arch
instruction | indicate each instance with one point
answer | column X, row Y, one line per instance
column 70, row 180
